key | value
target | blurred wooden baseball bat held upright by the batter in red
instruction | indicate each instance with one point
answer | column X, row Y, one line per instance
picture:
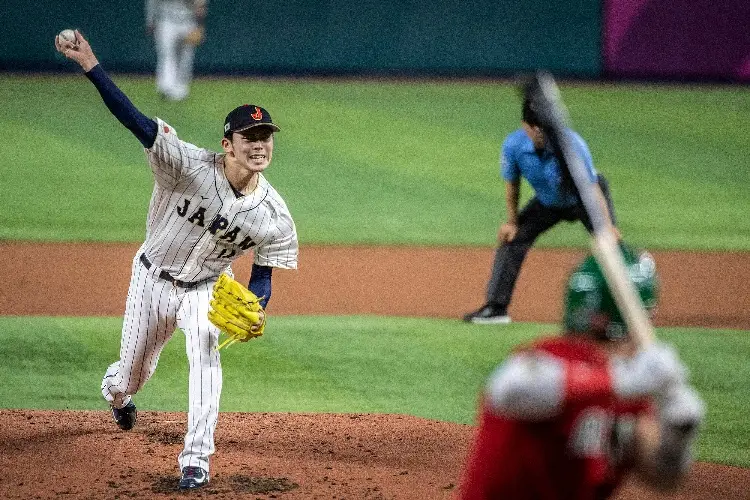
column 552, row 112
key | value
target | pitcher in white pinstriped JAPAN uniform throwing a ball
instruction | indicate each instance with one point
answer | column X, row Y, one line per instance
column 206, row 210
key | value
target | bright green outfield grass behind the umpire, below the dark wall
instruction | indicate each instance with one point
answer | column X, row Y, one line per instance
column 380, row 161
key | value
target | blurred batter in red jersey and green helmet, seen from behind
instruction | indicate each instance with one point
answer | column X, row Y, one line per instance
column 567, row 416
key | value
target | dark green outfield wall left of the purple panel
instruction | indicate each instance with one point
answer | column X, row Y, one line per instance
column 468, row 38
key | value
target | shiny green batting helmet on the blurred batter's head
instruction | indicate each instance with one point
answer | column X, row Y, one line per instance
column 589, row 305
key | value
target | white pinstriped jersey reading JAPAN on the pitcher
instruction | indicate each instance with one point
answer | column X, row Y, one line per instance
column 197, row 225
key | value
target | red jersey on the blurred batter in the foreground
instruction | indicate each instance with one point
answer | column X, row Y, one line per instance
column 568, row 456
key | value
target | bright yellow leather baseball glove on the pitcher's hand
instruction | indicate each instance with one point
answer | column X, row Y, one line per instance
column 236, row 311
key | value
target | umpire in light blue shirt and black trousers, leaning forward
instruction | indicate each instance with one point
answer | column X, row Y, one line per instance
column 527, row 153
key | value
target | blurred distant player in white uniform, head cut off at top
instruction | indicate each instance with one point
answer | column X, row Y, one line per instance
column 178, row 28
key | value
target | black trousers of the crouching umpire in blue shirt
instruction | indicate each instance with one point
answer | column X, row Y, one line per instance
column 533, row 220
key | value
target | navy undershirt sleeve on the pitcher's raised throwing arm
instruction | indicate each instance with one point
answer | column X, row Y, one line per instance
column 143, row 127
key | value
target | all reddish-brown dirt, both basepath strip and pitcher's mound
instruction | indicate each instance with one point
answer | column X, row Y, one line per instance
column 54, row 454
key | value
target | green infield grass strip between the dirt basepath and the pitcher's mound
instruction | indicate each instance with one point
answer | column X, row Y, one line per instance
column 423, row 367
